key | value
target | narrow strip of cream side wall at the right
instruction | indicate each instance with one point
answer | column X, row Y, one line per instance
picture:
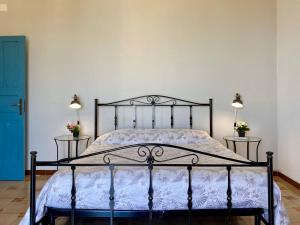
column 288, row 87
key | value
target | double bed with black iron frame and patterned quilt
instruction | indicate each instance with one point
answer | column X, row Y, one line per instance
column 156, row 173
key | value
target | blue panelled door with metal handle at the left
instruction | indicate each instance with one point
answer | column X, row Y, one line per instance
column 12, row 113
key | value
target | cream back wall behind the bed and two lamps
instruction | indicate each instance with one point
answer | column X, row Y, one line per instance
column 112, row 49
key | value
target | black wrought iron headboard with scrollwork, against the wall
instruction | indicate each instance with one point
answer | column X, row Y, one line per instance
column 154, row 101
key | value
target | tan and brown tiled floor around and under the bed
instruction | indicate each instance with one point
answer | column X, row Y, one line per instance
column 14, row 202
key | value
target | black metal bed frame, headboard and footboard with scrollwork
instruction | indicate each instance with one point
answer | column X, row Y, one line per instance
column 150, row 156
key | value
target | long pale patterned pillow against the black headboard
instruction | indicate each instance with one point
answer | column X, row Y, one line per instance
column 161, row 136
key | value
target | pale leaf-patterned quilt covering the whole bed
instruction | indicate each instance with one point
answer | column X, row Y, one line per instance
column 249, row 185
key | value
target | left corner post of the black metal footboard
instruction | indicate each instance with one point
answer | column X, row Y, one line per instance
column 32, row 187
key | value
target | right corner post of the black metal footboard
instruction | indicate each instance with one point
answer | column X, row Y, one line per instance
column 270, row 188
